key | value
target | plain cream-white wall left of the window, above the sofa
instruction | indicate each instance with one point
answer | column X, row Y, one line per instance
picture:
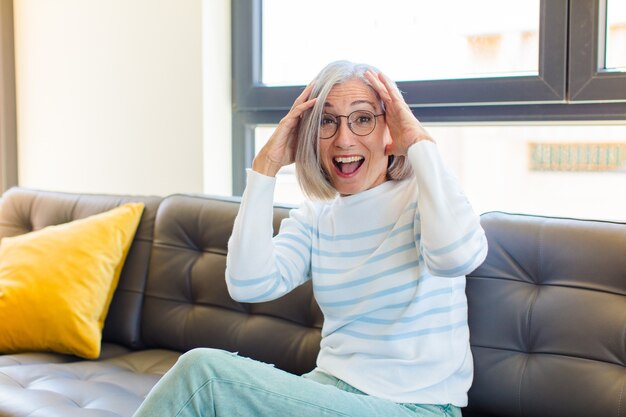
column 111, row 95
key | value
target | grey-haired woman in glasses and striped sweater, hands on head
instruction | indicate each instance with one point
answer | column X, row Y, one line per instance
column 387, row 238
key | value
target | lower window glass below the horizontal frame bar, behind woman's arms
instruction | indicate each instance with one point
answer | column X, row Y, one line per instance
column 557, row 170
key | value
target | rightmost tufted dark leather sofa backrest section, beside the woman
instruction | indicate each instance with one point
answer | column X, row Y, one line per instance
column 547, row 314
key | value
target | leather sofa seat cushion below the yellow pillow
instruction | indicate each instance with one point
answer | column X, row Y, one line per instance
column 111, row 387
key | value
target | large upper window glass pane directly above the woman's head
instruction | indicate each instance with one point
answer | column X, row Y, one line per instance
column 408, row 39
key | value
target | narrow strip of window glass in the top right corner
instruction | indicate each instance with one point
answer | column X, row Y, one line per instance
column 615, row 35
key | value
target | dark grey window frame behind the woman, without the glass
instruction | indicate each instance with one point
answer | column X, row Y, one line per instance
column 570, row 85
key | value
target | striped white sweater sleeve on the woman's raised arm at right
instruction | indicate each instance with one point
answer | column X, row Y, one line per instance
column 452, row 241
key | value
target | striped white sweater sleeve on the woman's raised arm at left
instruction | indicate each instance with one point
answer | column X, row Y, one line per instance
column 260, row 267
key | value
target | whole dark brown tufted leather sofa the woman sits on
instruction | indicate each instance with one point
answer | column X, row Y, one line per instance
column 547, row 312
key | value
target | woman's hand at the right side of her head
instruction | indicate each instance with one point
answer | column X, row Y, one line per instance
column 404, row 128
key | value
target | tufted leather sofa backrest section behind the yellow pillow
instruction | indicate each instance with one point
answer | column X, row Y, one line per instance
column 24, row 210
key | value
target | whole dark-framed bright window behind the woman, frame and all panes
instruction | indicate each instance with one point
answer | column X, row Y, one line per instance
column 557, row 91
